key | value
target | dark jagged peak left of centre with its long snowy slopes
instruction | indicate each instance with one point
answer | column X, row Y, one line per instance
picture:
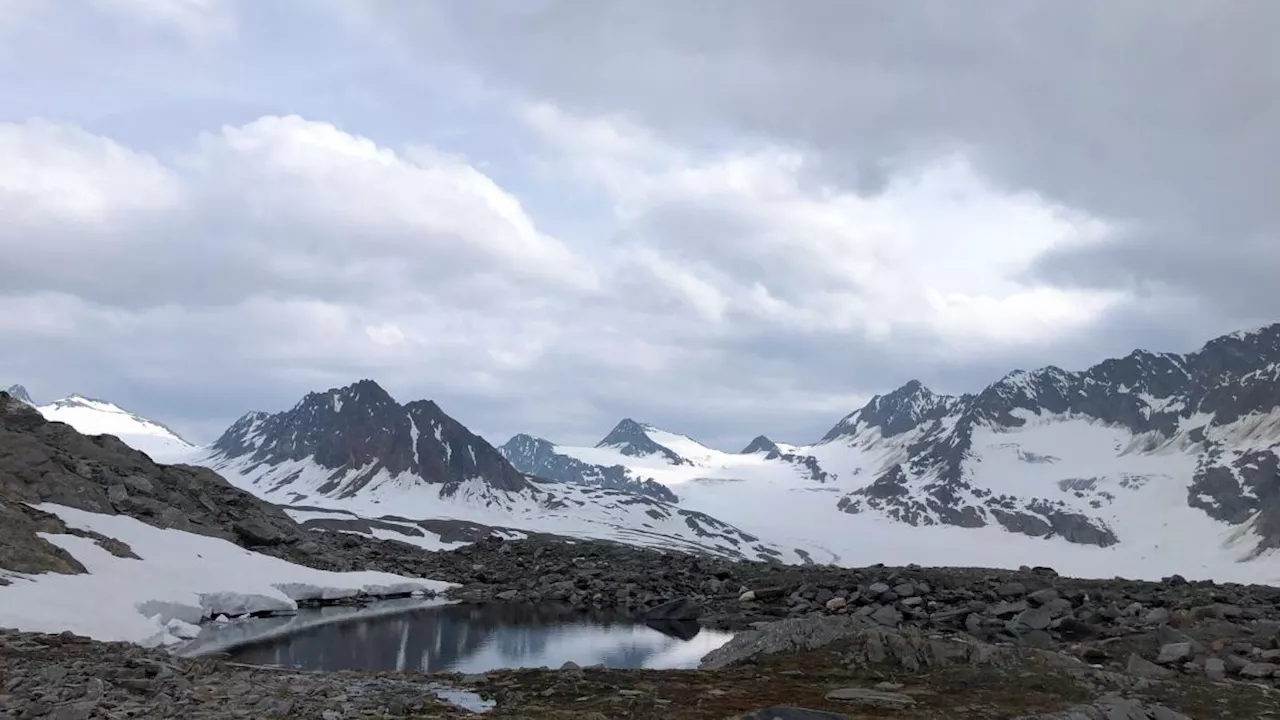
column 358, row 450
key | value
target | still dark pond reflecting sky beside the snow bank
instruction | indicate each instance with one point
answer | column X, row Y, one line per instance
column 470, row 639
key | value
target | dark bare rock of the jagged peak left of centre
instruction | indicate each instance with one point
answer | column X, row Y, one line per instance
column 359, row 432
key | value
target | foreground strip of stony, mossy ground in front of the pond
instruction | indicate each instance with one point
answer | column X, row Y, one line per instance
column 806, row 668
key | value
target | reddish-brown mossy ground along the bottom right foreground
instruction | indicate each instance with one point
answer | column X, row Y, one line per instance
column 804, row 681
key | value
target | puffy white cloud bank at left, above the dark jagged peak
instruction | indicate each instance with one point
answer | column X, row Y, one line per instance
column 277, row 206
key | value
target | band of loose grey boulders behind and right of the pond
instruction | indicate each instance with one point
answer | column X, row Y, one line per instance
column 1180, row 627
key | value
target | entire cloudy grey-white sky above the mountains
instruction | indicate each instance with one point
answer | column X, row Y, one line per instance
column 725, row 218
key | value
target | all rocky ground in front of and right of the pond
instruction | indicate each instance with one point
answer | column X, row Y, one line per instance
column 871, row 642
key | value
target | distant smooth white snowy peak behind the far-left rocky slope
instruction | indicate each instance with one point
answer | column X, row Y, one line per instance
column 93, row 417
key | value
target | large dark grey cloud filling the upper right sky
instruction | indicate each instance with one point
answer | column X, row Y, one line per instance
column 1173, row 144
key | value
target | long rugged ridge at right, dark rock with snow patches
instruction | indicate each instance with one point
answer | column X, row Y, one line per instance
column 1135, row 448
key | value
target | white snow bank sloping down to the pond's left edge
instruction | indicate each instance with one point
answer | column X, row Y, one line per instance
column 181, row 580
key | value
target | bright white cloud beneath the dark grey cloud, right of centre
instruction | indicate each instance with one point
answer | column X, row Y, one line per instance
column 764, row 235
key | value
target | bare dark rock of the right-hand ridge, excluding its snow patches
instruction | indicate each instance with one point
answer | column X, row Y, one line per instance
column 1156, row 397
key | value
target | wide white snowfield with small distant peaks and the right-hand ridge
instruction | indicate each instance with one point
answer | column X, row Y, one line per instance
column 1153, row 463
